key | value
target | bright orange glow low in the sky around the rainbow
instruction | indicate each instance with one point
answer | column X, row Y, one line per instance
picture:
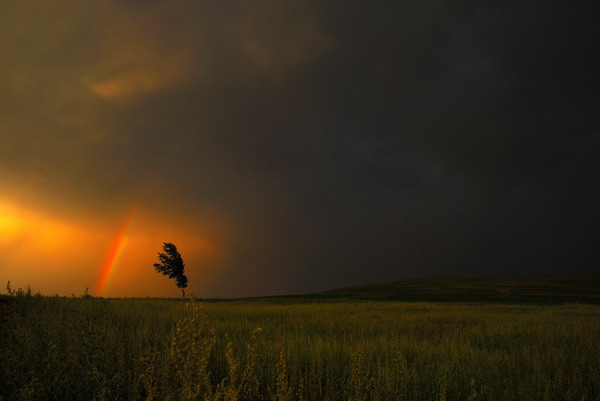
column 58, row 256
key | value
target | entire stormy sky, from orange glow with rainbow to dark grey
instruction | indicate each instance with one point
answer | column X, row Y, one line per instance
column 290, row 146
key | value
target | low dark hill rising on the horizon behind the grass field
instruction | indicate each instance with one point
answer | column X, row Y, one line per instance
column 546, row 290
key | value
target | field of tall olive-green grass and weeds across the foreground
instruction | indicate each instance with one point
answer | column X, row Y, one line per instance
column 93, row 349
